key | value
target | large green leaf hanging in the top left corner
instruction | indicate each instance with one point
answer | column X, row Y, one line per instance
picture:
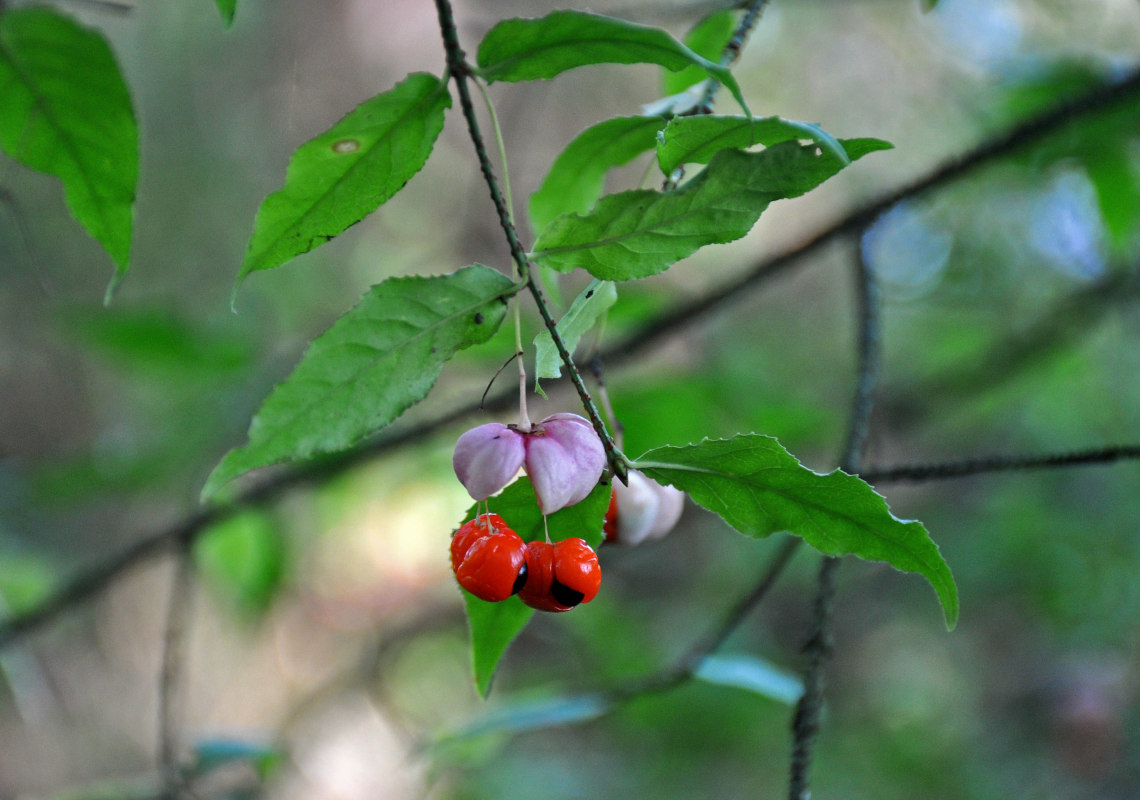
column 66, row 111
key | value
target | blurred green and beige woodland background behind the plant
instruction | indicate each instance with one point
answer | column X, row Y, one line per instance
column 327, row 628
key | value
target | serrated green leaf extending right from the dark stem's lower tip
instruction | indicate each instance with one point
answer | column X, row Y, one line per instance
column 760, row 488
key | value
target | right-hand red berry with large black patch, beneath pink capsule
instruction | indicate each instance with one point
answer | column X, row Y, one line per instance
column 560, row 576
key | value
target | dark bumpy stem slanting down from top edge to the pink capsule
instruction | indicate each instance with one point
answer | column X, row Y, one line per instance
column 461, row 74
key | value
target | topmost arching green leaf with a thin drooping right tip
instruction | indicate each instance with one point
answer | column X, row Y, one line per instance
column 538, row 50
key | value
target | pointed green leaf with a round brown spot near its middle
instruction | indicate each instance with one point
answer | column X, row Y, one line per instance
column 340, row 177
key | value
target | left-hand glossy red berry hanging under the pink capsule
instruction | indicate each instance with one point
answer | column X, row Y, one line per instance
column 490, row 560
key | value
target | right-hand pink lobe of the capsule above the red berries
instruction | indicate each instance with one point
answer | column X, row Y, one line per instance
column 565, row 461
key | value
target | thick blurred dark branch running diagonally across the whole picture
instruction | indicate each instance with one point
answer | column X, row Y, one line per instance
column 670, row 324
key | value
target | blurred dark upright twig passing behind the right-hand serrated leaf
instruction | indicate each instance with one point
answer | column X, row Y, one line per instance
column 807, row 721
